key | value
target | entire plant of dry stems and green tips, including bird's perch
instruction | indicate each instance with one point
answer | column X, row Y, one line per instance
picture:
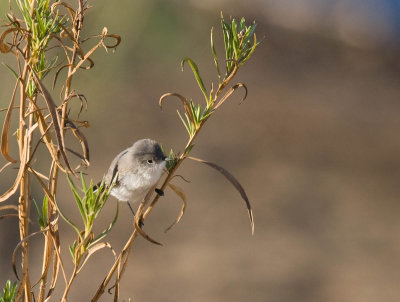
column 34, row 28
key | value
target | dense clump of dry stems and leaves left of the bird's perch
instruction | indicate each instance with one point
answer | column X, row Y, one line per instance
column 36, row 27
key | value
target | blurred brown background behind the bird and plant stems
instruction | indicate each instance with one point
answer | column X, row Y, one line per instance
column 315, row 145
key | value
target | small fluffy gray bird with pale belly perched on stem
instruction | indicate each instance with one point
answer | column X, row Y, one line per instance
column 136, row 169
